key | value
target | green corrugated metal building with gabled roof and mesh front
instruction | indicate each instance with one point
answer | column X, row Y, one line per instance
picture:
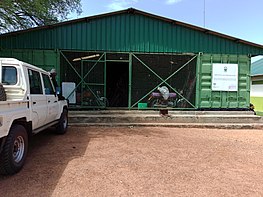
column 124, row 56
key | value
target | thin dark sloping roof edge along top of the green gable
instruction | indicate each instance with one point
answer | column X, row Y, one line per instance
column 135, row 11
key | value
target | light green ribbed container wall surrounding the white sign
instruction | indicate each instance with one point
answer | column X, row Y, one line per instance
column 206, row 98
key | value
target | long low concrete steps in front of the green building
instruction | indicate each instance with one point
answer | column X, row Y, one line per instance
column 153, row 117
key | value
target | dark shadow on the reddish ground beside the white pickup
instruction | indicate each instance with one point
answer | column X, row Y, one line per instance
column 48, row 157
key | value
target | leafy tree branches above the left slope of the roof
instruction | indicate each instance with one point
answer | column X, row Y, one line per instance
column 24, row 14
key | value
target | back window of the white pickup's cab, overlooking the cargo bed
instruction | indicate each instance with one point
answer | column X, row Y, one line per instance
column 9, row 75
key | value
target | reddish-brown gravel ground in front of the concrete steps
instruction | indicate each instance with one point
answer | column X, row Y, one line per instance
column 141, row 161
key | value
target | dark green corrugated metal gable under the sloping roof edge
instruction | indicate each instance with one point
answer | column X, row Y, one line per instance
column 128, row 30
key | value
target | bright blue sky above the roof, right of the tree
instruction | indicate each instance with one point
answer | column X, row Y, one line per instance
column 238, row 18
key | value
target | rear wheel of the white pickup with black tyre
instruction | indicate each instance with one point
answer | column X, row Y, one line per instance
column 14, row 152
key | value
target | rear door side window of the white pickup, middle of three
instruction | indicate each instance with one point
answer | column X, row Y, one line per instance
column 35, row 82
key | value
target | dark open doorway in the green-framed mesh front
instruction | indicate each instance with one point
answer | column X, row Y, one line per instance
column 117, row 84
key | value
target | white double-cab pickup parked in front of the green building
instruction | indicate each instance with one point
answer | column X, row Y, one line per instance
column 28, row 105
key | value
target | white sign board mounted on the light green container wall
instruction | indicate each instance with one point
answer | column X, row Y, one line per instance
column 225, row 77
